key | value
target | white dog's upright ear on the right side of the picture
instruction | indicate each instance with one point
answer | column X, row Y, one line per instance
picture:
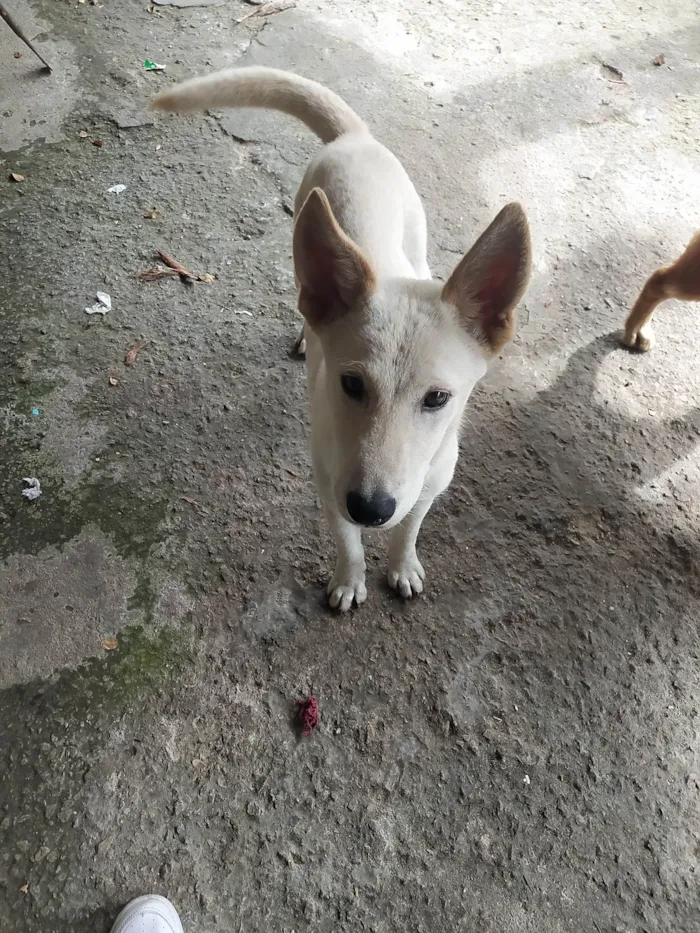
column 491, row 279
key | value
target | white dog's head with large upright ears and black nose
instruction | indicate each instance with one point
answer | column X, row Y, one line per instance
column 401, row 356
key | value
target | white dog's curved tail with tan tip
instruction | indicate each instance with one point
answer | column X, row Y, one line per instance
column 320, row 109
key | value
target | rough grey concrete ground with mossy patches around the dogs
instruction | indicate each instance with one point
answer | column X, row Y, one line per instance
column 518, row 750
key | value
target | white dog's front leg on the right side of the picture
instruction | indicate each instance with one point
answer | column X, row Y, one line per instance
column 406, row 574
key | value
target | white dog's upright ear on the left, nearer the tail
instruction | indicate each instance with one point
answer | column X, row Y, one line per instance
column 332, row 271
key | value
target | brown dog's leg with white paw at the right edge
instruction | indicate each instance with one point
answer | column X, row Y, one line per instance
column 681, row 280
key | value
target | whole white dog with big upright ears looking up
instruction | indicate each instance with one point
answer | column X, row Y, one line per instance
column 392, row 356
